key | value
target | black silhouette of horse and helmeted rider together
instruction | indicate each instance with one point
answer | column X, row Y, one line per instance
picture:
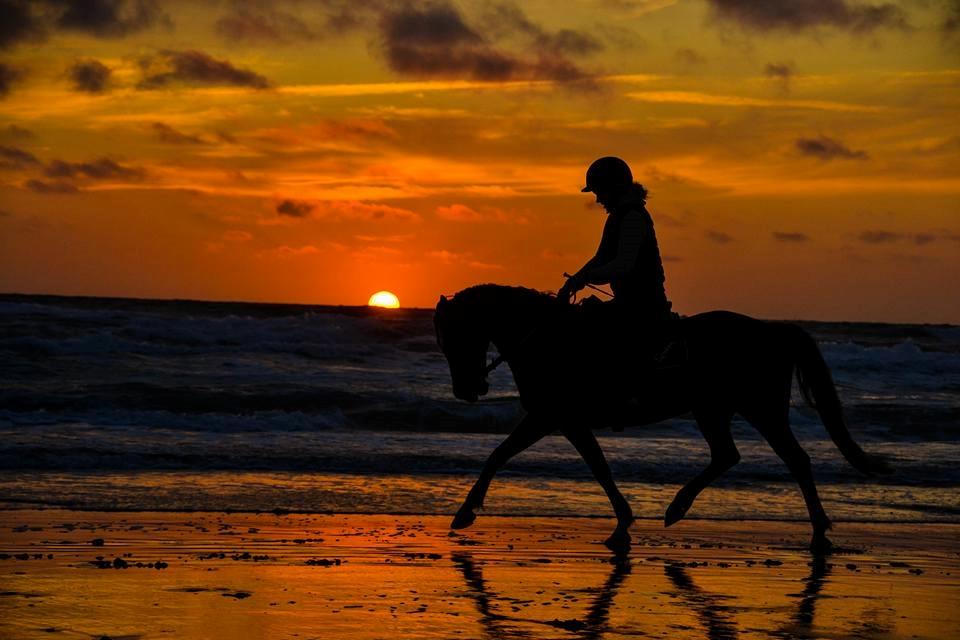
column 643, row 364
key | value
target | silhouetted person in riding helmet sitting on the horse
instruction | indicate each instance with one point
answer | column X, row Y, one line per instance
column 628, row 257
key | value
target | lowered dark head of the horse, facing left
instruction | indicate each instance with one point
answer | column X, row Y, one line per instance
column 464, row 343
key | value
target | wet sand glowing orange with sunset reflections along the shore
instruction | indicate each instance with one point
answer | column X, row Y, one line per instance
column 69, row 574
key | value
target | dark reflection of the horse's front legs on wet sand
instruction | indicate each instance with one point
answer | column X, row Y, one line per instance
column 496, row 625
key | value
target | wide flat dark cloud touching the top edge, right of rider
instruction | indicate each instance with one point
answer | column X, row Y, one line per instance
column 794, row 15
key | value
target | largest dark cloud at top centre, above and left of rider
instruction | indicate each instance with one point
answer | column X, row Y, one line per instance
column 435, row 41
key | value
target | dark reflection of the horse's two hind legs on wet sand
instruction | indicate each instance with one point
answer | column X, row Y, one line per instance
column 718, row 618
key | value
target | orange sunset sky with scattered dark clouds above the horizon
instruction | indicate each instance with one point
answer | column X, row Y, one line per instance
column 802, row 158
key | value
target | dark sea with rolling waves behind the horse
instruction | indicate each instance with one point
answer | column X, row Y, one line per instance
column 158, row 405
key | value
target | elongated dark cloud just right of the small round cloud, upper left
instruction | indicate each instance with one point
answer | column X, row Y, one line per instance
column 195, row 68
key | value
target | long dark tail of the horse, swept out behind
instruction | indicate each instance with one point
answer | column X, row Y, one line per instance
column 817, row 388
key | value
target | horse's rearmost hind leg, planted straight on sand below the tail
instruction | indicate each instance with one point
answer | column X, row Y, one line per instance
column 778, row 433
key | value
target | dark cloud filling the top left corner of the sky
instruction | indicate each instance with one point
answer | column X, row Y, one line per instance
column 34, row 20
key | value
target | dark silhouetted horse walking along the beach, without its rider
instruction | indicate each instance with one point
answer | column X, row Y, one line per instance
column 731, row 364
